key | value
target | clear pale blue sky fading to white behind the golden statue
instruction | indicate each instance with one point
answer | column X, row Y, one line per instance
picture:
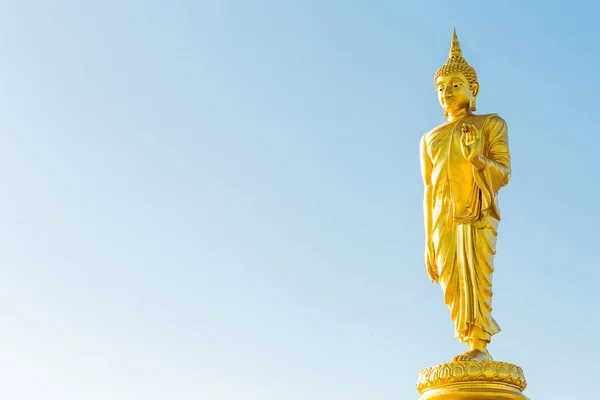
column 222, row 200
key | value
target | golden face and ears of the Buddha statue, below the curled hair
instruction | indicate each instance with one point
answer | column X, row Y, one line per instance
column 454, row 92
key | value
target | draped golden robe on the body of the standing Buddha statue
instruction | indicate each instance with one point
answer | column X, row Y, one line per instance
column 463, row 218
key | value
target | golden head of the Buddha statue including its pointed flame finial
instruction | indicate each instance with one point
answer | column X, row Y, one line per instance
column 456, row 82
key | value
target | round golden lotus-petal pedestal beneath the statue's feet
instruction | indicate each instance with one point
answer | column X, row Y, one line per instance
column 473, row 380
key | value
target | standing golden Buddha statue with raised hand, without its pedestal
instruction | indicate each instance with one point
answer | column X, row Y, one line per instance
column 464, row 161
